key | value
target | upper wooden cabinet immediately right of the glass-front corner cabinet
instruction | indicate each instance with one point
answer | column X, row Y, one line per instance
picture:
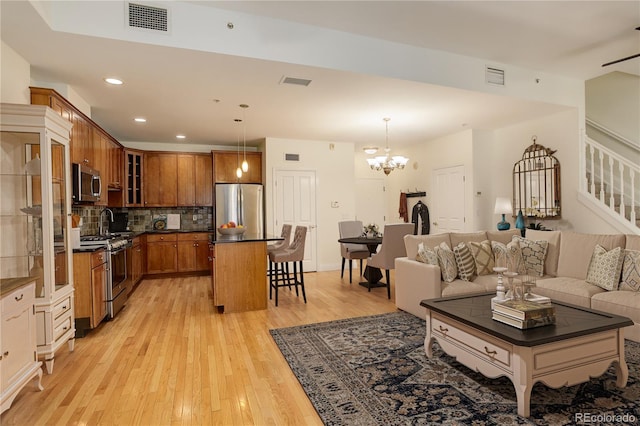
column 160, row 179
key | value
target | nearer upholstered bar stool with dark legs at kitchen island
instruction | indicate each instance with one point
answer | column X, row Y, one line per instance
column 279, row 275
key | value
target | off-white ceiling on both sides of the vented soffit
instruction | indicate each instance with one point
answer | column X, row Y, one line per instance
column 197, row 93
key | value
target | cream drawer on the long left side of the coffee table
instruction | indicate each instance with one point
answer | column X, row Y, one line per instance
column 482, row 346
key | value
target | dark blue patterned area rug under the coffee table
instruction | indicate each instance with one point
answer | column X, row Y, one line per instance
column 374, row 371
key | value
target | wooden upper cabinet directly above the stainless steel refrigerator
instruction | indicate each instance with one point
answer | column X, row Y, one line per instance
column 225, row 164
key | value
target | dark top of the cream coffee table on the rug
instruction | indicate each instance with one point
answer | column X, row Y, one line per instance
column 571, row 321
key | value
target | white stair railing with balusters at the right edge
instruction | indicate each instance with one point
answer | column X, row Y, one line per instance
column 611, row 181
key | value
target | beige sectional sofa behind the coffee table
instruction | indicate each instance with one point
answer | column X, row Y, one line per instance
column 566, row 267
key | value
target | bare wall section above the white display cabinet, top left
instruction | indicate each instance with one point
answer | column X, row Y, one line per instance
column 15, row 76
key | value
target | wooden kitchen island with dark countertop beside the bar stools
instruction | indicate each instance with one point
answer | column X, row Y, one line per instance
column 239, row 271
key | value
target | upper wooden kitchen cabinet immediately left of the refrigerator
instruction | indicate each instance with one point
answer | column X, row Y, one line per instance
column 195, row 184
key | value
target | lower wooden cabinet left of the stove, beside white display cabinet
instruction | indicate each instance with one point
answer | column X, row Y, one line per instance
column 90, row 281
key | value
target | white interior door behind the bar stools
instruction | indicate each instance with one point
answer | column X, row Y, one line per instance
column 295, row 203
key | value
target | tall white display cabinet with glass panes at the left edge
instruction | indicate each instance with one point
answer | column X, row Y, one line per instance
column 35, row 218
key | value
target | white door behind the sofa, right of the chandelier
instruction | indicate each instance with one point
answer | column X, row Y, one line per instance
column 449, row 200
